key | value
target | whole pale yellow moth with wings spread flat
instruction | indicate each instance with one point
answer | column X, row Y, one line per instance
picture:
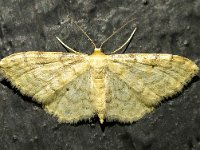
column 75, row 86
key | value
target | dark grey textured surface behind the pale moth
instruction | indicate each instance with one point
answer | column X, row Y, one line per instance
column 167, row 26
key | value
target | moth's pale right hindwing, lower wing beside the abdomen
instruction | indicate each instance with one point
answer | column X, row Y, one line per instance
column 122, row 101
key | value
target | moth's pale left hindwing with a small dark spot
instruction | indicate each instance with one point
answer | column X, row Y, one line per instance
column 73, row 103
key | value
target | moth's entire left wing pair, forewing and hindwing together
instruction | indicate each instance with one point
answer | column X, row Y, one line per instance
column 60, row 81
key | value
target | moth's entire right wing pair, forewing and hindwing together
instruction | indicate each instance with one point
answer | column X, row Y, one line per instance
column 138, row 82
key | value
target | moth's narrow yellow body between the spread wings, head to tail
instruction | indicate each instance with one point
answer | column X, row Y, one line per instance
column 98, row 64
